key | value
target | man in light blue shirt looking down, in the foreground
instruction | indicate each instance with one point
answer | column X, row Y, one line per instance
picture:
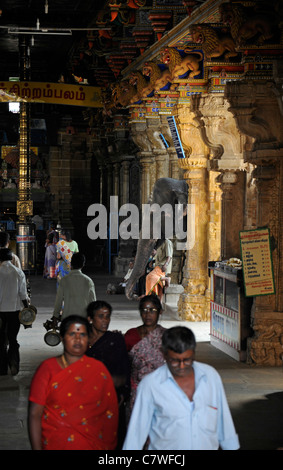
column 181, row 405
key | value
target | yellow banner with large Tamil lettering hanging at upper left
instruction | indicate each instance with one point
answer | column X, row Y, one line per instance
column 55, row 93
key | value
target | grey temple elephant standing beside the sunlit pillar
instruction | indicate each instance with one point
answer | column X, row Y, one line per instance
column 167, row 193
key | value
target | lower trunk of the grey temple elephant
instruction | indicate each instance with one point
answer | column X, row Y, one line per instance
column 144, row 251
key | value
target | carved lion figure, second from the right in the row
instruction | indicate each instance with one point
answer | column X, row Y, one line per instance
column 211, row 43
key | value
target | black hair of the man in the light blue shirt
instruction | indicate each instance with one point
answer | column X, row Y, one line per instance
column 178, row 339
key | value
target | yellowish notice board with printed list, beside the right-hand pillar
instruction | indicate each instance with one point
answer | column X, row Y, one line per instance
column 257, row 262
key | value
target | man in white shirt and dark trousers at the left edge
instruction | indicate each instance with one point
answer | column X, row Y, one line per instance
column 13, row 296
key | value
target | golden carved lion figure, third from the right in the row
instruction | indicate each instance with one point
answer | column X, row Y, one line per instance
column 179, row 65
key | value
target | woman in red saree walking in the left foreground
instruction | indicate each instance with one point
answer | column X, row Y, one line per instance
column 73, row 402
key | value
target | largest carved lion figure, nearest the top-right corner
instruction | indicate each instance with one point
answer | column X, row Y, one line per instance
column 246, row 25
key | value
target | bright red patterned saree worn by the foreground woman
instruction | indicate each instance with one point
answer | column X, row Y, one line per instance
column 80, row 405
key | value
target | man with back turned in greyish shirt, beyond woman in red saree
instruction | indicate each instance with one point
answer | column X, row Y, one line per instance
column 75, row 291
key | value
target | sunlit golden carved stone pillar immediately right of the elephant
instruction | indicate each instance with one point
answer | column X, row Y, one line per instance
column 193, row 303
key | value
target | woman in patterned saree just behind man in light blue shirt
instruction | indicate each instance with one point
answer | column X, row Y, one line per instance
column 144, row 343
